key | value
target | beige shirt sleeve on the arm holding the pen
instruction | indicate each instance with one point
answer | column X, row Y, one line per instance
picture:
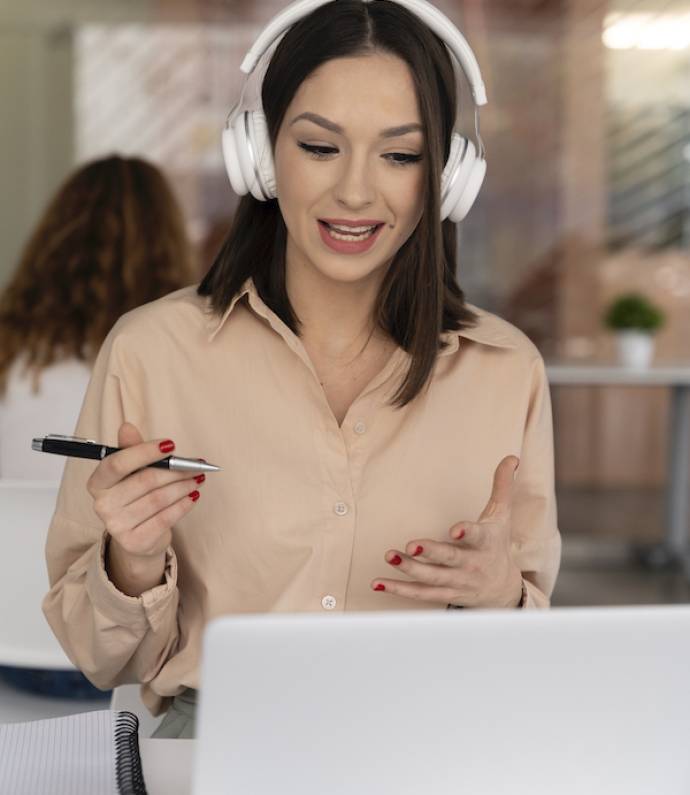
column 111, row 637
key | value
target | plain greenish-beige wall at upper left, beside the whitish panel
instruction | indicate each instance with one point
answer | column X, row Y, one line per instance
column 36, row 127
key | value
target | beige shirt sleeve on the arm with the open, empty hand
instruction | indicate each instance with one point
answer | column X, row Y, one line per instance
column 536, row 540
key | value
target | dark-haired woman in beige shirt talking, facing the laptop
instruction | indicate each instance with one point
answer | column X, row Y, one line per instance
column 363, row 416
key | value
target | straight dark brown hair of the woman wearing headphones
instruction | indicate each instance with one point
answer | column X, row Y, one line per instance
column 419, row 297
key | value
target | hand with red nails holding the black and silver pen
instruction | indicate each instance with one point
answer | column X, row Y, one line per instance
column 139, row 505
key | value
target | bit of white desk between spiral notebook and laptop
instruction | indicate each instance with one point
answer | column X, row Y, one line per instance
column 167, row 766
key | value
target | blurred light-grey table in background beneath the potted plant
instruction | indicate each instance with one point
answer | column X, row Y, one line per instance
column 676, row 376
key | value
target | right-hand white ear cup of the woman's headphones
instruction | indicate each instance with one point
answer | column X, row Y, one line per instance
column 462, row 179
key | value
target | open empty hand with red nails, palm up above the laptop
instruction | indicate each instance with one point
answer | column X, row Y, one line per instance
column 475, row 569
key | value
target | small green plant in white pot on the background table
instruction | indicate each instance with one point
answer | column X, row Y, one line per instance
column 634, row 319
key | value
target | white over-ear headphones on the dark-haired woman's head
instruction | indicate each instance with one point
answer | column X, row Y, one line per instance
column 246, row 145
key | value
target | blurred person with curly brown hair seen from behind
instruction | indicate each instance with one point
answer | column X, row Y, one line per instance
column 112, row 238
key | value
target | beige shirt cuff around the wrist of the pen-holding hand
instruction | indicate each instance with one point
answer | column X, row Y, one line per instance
column 142, row 611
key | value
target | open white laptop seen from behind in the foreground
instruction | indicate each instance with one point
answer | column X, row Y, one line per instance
column 570, row 701
